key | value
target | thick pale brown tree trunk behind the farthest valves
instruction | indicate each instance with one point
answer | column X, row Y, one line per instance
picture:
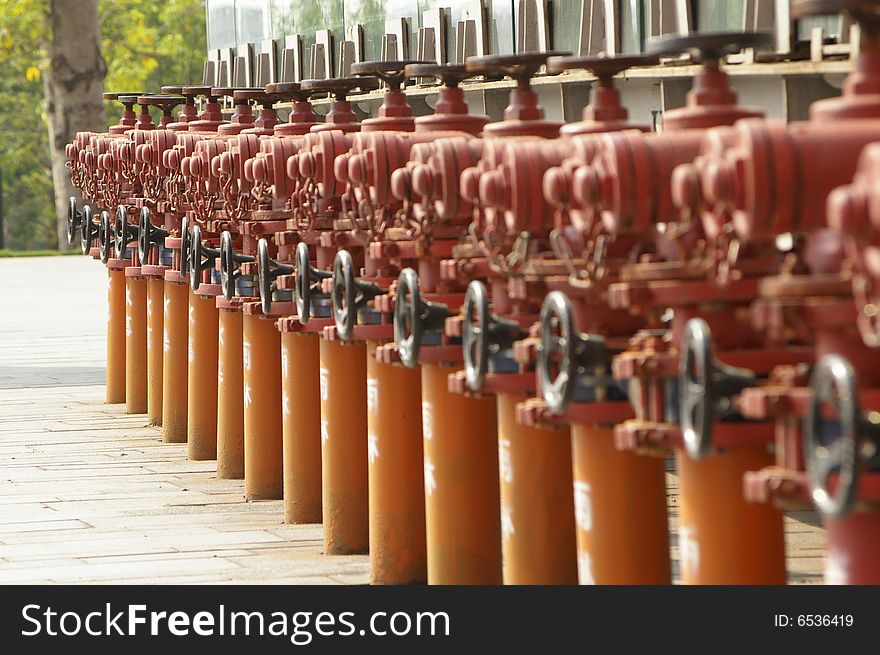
column 73, row 85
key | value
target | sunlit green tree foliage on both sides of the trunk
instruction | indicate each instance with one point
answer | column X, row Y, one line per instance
column 146, row 43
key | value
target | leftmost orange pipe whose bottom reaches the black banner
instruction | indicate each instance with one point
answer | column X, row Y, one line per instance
column 396, row 479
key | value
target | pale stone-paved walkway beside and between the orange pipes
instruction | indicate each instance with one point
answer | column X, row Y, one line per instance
column 89, row 494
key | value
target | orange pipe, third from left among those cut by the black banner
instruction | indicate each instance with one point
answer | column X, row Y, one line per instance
column 537, row 504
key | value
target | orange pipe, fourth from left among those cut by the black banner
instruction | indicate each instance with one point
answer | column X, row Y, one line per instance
column 620, row 511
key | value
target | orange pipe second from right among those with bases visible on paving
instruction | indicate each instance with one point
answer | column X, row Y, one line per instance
column 301, row 427
